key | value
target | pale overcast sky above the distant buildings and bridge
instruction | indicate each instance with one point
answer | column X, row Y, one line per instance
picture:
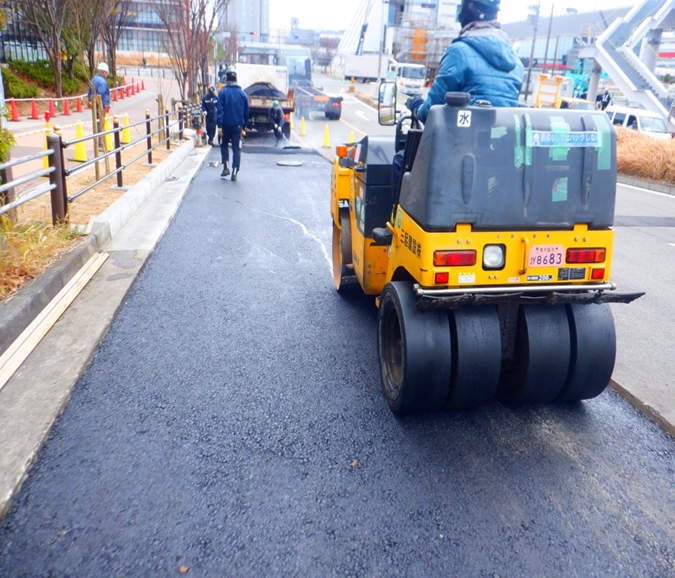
column 337, row 14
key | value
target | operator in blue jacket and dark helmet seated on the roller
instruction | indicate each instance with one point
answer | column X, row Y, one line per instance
column 480, row 61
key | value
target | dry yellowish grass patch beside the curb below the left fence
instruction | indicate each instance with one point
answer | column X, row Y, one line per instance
column 26, row 250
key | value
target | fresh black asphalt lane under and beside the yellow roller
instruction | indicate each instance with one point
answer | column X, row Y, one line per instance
column 232, row 423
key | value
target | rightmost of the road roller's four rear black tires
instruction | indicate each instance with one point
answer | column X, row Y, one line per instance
column 593, row 351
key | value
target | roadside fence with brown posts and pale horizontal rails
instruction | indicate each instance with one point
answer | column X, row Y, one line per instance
column 58, row 173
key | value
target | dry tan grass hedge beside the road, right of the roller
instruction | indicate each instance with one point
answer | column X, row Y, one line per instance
column 638, row 155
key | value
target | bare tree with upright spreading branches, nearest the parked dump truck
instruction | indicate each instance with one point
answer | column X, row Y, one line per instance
column 190, row 26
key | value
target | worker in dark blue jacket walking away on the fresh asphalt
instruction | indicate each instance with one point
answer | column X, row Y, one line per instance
column 232, row 119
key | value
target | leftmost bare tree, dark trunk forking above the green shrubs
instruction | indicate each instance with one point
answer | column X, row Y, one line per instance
column 47, row 18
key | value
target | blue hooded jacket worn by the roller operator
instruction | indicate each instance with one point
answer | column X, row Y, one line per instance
column 482, row 62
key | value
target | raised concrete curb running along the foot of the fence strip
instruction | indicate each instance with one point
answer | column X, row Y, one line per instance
column 18, row 312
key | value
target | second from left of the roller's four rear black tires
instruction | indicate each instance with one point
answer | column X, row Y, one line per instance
column 476, row 357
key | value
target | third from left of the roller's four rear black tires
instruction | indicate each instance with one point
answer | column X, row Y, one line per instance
column 542, row 357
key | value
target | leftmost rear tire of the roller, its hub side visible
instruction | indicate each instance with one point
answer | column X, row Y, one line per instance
column 414, row 351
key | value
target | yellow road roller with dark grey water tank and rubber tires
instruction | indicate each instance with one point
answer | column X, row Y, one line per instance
column 490, row 259
